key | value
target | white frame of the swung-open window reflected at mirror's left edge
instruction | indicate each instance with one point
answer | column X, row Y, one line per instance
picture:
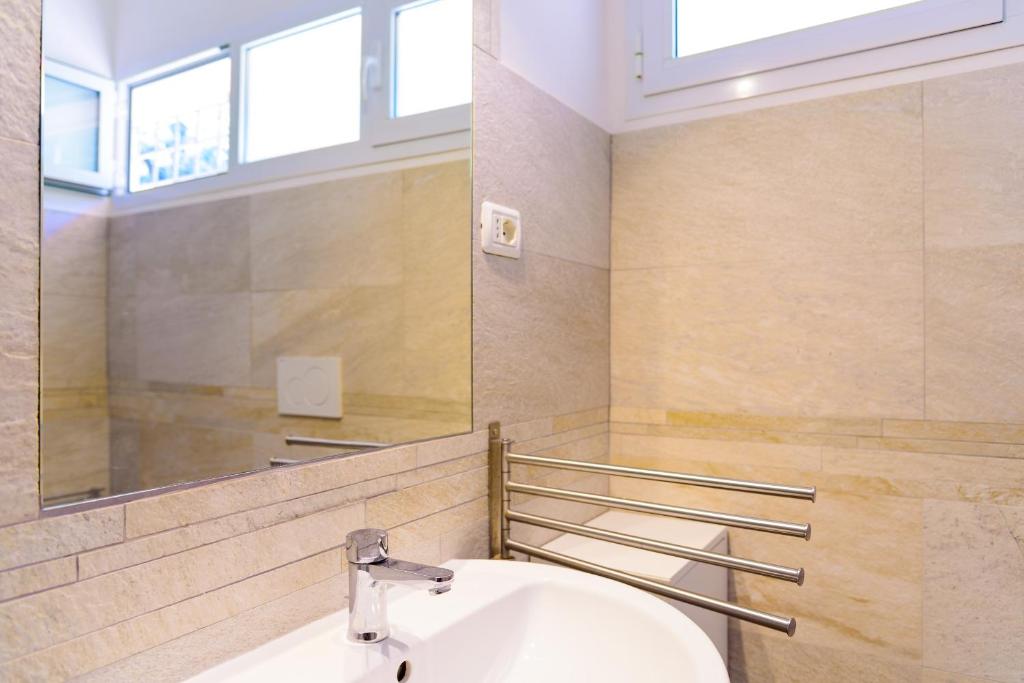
column 103, row 179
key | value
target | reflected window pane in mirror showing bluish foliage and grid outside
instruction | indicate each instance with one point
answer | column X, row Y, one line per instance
column 181, row 126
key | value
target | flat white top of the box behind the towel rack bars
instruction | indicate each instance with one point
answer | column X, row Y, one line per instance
column 647, row 564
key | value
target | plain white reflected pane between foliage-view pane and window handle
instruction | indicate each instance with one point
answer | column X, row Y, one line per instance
column 303, row 89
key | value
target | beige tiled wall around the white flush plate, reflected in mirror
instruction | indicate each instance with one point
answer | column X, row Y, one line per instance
column 204, row 300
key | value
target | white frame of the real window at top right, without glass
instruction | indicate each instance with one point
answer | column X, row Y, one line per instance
column 895, row 38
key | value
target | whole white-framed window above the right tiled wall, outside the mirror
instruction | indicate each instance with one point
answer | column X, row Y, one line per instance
column 774, row 47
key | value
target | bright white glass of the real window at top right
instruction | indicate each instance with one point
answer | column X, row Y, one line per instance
column 709, row 25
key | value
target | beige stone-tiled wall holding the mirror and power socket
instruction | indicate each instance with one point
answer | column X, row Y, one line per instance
column 159, row 588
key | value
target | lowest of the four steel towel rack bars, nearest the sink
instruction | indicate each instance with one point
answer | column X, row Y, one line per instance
column 787, row 625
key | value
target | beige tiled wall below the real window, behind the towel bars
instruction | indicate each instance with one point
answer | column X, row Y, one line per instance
column 831, row 293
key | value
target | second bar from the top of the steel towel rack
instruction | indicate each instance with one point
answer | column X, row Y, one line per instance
column 740, row 522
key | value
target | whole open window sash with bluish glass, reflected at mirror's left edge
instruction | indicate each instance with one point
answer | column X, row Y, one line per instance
column 77, row 127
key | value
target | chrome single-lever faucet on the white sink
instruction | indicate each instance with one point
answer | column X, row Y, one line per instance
column 370, row 573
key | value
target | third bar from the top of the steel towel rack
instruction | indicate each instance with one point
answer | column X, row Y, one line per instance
column 764, row 569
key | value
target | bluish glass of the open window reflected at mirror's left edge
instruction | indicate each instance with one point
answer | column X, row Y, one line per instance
column 71, row 126
